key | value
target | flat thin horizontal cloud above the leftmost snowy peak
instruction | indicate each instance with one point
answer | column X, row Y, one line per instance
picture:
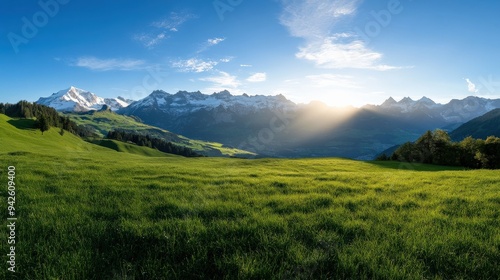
column 97, row 64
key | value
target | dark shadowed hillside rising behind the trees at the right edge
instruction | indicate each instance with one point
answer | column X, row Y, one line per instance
column 480, row 127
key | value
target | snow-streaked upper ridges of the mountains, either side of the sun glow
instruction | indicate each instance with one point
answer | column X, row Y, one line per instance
column 184, row 103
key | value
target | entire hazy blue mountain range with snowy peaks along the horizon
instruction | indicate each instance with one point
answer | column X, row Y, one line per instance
column 276, row 126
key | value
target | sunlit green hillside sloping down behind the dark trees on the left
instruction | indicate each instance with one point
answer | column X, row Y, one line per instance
column 104, row 121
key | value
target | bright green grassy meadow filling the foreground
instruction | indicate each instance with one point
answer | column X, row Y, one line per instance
column 87, row 212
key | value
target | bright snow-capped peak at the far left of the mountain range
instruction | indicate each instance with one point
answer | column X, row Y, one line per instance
column 79, row 100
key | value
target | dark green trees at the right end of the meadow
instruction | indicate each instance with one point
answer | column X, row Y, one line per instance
column 437, row 148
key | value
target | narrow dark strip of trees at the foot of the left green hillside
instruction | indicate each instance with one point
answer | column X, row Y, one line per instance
column 151, row 142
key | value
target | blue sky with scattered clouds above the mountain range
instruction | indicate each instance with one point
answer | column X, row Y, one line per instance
column 341, row 52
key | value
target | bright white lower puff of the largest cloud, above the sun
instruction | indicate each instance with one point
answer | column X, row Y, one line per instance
column 334, row 53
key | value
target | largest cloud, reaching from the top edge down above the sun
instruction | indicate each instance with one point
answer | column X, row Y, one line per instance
column 313, row 21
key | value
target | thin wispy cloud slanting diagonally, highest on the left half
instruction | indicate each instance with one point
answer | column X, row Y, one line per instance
column 161, row 28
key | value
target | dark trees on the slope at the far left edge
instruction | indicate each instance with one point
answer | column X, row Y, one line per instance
column 46, row 117
